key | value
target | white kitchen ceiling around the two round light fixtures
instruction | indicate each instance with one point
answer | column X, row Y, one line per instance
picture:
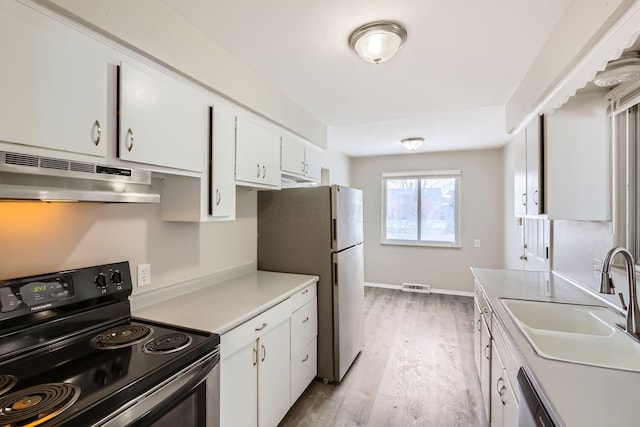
column 449, row 83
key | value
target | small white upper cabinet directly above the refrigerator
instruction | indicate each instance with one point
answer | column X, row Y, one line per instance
column 299, row 161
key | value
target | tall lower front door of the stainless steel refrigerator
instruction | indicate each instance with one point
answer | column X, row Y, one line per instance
column 348, row 308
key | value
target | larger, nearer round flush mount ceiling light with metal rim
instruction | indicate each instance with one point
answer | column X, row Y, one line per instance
column 378, row 41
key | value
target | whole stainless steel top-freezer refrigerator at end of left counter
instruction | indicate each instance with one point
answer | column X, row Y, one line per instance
column 318, row 230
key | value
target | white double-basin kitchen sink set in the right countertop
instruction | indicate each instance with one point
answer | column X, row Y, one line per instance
column 575, row 333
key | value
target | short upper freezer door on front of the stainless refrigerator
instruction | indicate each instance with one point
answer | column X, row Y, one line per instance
column 346, row 212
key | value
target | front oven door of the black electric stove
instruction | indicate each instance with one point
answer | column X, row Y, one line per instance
column 189, row 398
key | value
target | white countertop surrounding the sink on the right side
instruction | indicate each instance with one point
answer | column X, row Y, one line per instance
column 575, row 395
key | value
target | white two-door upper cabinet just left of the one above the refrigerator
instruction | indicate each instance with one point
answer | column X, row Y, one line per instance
column 257, row 155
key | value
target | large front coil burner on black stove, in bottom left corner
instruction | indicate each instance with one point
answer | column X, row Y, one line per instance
column 36, row 405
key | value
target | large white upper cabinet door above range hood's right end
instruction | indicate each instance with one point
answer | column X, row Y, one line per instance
column 163, row 122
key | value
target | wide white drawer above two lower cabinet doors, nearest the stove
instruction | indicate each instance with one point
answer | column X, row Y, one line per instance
column 253, row 329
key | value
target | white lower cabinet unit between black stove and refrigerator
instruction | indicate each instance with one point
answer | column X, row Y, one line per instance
column 267, row 362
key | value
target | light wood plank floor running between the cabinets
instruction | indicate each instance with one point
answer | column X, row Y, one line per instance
column 416, row 369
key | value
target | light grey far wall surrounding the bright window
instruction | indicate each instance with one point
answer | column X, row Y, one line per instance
column 481, row 218
